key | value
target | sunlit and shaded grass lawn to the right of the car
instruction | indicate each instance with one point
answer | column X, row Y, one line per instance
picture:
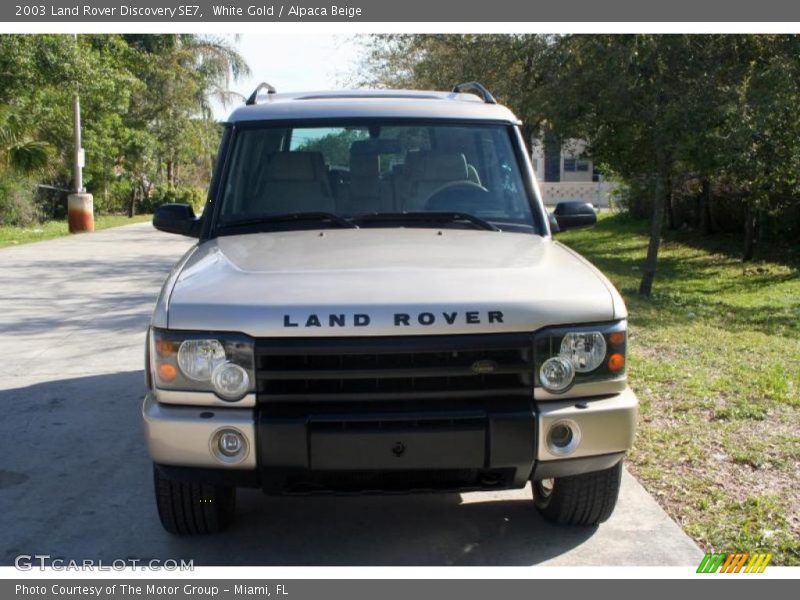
column 715, row 361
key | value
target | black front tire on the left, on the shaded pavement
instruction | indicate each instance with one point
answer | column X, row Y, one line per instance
column 192, row 508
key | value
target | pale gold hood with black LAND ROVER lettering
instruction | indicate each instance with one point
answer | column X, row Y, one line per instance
column 358, row 282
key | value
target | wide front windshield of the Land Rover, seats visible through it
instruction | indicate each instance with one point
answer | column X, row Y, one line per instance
column 375, row 175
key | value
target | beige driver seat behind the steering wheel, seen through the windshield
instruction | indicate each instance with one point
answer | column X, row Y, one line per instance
column 427, row 171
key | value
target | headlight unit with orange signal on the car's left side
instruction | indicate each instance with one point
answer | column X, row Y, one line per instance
column 199, row 362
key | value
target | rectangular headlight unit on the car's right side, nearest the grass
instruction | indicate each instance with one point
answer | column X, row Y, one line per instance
column 594, row 353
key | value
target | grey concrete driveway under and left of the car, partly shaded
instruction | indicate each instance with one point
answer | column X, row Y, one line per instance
column 75, row 480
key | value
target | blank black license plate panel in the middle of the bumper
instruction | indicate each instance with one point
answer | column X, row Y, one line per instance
column 397, row 443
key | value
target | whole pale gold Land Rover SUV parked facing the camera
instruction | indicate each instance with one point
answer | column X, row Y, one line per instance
column 376, row 304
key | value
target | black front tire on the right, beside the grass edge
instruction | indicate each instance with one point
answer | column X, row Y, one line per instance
column 586, row 499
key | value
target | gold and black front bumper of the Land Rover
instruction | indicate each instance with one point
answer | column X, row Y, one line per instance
column 487, row 444
